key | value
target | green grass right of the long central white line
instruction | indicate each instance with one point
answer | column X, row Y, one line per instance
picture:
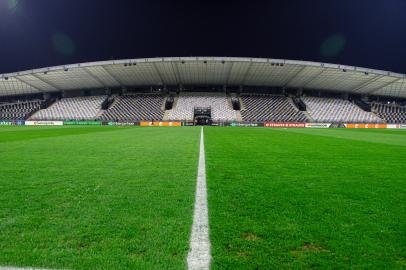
column 306, row 198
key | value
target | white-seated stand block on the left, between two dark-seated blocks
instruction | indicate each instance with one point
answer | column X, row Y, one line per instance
column 77, row 108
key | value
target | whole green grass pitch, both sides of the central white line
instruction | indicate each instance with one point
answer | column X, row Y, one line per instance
column 123, row 197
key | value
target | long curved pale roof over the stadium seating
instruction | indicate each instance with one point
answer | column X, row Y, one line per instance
column 185, row 71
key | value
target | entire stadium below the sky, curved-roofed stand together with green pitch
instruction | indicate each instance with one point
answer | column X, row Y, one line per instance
column 85, row 186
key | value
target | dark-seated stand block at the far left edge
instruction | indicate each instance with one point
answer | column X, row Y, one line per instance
column 19, row 110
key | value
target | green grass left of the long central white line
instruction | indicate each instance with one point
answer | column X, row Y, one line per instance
column 97, row 197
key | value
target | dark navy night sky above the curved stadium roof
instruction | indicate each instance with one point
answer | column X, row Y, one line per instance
column 40, row 33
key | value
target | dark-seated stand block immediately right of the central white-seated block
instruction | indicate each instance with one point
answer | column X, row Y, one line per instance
column 261, row 108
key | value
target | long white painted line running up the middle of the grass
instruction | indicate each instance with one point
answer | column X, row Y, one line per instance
column 199, row 252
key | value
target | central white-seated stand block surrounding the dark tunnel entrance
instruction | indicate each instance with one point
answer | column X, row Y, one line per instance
column 220, row 108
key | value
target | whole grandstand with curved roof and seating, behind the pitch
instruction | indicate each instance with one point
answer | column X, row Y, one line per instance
column 204, row 90
